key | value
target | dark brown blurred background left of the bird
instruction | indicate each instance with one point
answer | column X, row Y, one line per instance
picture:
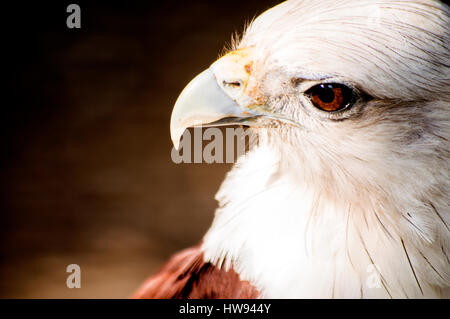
column 86, row 172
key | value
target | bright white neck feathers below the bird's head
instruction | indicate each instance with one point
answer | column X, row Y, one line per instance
column 291, row 241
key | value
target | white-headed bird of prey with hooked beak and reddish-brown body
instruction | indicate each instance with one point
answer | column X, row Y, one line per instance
column 346, row 194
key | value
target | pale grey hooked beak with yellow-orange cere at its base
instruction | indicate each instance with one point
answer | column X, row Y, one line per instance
column 223, row 94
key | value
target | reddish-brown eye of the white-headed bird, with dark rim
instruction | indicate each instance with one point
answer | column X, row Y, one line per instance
column 331, row 97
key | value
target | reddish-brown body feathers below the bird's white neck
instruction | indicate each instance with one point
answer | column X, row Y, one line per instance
column 188, row 276
